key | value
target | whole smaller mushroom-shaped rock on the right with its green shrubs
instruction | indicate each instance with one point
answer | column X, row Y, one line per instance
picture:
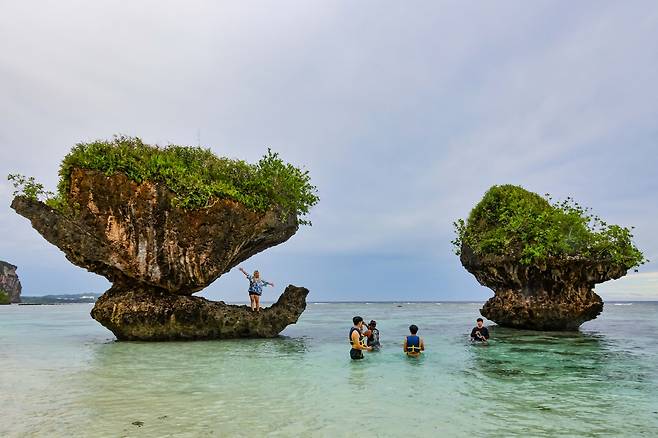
column 542, row 260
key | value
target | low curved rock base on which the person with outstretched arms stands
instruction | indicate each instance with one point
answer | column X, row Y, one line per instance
column 141, row 313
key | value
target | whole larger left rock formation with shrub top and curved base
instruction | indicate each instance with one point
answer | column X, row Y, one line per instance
column 163, row 223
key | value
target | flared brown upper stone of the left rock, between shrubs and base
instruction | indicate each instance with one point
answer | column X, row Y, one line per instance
column 121, row 229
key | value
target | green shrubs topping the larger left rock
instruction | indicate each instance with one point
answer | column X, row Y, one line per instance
column 194, row 174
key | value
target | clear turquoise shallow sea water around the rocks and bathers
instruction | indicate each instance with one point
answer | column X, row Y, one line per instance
column 61, row 374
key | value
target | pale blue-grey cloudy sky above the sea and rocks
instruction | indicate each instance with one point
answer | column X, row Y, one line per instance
column 404, row 113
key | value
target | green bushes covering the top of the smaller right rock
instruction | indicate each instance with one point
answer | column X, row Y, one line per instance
column 512, row 222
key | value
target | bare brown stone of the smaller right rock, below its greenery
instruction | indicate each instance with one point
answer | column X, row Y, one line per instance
column 556, row 294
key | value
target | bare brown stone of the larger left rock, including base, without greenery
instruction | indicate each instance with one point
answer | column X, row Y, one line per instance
column 157, row 255
